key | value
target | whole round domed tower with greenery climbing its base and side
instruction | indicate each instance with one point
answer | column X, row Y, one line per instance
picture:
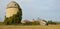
column 13, row 13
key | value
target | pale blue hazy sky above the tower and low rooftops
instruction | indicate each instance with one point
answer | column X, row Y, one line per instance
column 32, row 9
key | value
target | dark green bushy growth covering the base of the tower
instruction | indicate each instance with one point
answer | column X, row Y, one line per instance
column 15, row 19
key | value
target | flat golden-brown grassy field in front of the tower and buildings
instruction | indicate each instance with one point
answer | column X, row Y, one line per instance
column 29, row 27
